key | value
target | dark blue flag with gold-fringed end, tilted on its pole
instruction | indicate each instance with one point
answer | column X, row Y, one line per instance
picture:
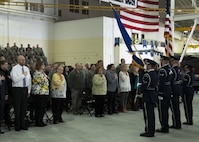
column 128, row 41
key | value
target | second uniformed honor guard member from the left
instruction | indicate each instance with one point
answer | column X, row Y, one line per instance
column 164, row 93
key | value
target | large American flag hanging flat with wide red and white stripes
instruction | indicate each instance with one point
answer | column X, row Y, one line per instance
column 140, row 19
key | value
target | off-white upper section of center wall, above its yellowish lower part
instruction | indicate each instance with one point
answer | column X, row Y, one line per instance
column 79, row 29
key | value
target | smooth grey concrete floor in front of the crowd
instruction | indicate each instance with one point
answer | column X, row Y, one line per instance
column 122, row 127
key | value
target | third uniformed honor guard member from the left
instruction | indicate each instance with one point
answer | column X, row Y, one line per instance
column 177, row 93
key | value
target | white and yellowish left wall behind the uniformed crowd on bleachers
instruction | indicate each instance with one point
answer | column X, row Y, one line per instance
column 23, row 30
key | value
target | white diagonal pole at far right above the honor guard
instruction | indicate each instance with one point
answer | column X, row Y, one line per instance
column 190, row 36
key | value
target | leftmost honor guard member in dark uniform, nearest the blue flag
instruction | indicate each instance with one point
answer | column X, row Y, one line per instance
column 149, row 90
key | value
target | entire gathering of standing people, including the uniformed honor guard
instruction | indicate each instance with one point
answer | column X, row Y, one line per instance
column 116, row 88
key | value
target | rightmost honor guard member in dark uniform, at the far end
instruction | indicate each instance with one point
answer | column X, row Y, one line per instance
column 188, row 93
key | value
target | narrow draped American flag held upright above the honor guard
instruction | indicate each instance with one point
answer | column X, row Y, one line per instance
column 168, row 32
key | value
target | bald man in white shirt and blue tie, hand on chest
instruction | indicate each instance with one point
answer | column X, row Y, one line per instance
column 21, row 86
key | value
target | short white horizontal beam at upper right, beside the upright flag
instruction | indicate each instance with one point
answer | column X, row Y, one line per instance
column 183, row 17
